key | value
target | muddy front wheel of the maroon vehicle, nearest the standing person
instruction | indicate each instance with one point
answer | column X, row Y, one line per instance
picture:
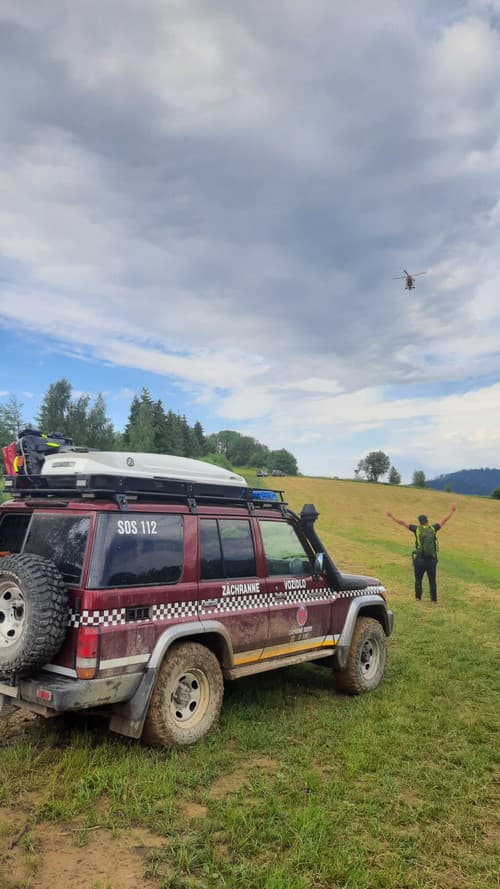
column 366, row 659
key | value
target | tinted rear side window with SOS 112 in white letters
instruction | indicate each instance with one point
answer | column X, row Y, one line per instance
column 137, row 550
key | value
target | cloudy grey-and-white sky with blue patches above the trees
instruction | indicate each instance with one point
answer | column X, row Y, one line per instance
column 212, row 200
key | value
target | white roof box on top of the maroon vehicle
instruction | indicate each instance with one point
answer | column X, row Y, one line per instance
column 160, row 466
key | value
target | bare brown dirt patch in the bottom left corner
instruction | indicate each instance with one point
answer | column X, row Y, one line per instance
column 55, row 856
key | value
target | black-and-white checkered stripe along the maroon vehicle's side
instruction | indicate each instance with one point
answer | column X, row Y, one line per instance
column 112, row 617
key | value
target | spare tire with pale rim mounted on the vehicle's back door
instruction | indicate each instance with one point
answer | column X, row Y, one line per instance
column 34, row 612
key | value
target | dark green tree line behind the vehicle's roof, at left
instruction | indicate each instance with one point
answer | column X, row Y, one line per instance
column 150, row 428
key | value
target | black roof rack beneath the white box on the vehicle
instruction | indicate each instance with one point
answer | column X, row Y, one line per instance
column 149, row 488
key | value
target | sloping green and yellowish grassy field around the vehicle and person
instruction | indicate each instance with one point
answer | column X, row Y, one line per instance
column 299, row 787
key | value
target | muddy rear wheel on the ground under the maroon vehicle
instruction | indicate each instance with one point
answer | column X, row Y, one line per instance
column 187, row 697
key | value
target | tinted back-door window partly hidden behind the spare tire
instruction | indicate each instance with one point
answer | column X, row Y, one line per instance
column 62, row 539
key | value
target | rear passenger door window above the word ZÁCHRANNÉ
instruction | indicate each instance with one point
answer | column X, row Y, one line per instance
column 227, row 549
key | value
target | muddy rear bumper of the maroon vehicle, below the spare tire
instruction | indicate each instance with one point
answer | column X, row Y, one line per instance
column 56, row 694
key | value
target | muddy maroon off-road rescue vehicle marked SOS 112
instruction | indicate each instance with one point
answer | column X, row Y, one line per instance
column 136, row 584
